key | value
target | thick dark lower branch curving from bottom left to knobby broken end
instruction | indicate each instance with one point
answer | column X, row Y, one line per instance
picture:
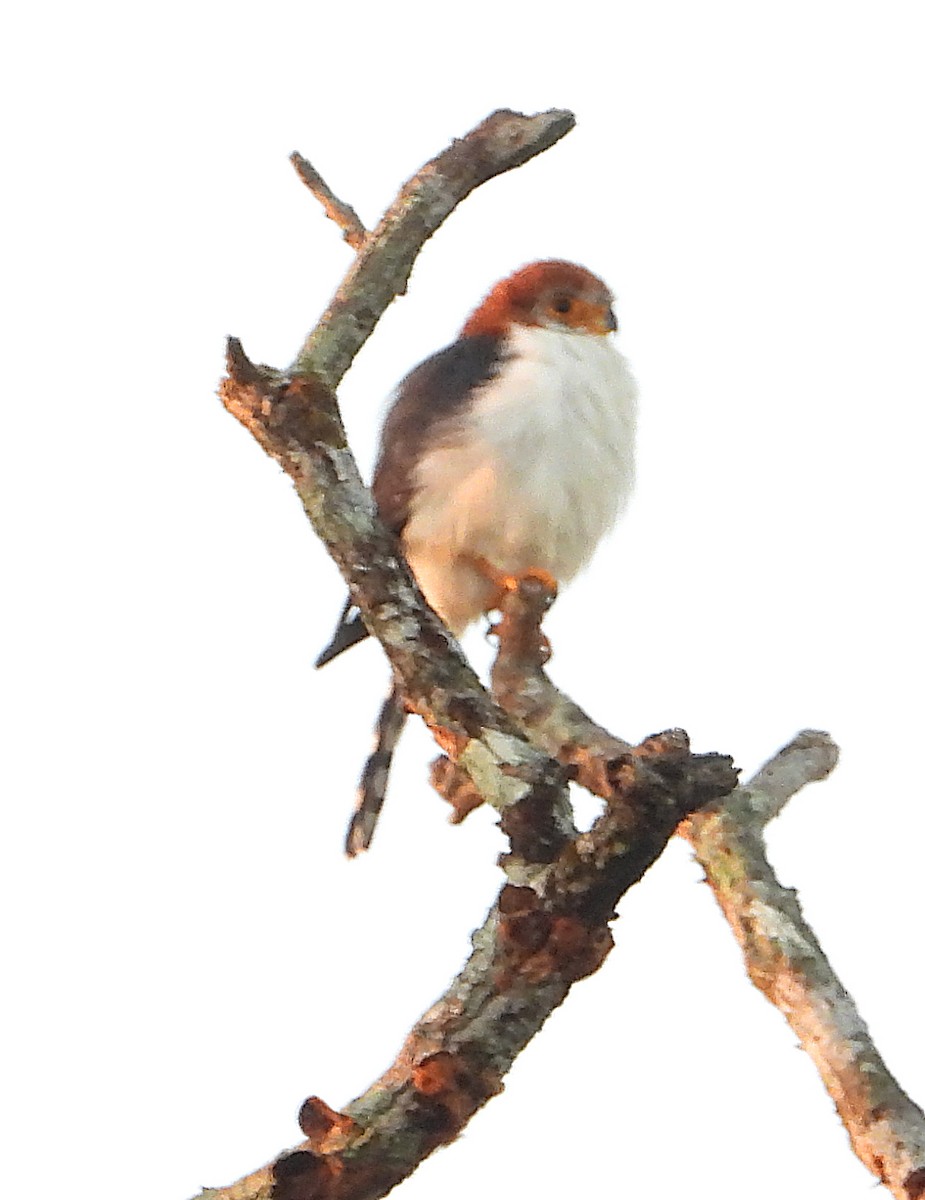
column 532, row 949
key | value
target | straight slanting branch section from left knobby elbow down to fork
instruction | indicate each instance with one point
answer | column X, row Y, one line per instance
column 299, row 425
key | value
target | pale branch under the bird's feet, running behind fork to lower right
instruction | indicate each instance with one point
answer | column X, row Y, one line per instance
column 782, row 953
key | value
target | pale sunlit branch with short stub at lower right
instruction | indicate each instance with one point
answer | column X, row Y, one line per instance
column 785, row 961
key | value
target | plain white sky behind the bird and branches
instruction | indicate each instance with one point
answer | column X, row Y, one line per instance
column 190, row 956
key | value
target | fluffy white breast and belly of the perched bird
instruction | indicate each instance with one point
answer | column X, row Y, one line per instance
column 533, row 476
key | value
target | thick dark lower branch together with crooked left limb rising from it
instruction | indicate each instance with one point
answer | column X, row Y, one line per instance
column 550, row 926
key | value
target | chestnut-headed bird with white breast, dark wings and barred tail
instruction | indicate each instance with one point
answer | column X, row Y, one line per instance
column 509, row 453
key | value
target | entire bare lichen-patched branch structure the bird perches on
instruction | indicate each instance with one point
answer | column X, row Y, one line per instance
column 518, row 752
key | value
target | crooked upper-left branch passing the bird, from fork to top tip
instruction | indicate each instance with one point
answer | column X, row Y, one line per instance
column 295, row 417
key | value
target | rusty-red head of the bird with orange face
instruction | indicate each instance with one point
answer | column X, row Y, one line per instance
column 551, row 295
